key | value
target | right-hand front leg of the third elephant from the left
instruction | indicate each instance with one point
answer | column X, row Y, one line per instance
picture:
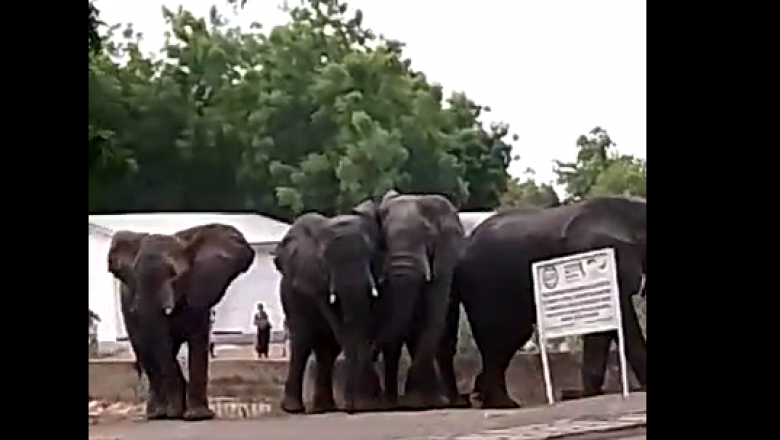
column 422, row 382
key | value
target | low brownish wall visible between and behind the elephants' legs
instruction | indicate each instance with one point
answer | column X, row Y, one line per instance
column 116, row 380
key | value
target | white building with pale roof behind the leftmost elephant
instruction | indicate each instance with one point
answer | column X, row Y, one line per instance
column 234, row 312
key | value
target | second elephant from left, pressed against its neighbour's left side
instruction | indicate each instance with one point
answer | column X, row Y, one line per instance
column 326, row 292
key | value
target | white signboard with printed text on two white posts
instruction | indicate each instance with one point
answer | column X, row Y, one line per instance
column 576, row 295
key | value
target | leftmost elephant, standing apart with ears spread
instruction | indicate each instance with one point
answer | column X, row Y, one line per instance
column 169, row 285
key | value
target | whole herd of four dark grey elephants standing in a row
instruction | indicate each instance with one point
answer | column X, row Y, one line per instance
column 393, row 272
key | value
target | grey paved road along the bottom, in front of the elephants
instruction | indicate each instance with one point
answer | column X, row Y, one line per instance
column 529, row 423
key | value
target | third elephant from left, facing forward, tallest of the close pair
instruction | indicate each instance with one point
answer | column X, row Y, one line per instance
column 421, row 237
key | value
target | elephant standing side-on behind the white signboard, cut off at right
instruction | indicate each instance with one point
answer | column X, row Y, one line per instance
column 493, row 282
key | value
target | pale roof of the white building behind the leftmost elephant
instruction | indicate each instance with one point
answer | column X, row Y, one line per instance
column 256, row 228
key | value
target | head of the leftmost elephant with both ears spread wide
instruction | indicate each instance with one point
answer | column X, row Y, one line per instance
column 157, row 268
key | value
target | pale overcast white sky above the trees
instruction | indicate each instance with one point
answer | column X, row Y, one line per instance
column 552, row 69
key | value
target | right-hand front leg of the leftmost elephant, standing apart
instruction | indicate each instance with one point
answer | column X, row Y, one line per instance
column 198, row 359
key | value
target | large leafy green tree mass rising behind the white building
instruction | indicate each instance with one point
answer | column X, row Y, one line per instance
column 316, row 114
